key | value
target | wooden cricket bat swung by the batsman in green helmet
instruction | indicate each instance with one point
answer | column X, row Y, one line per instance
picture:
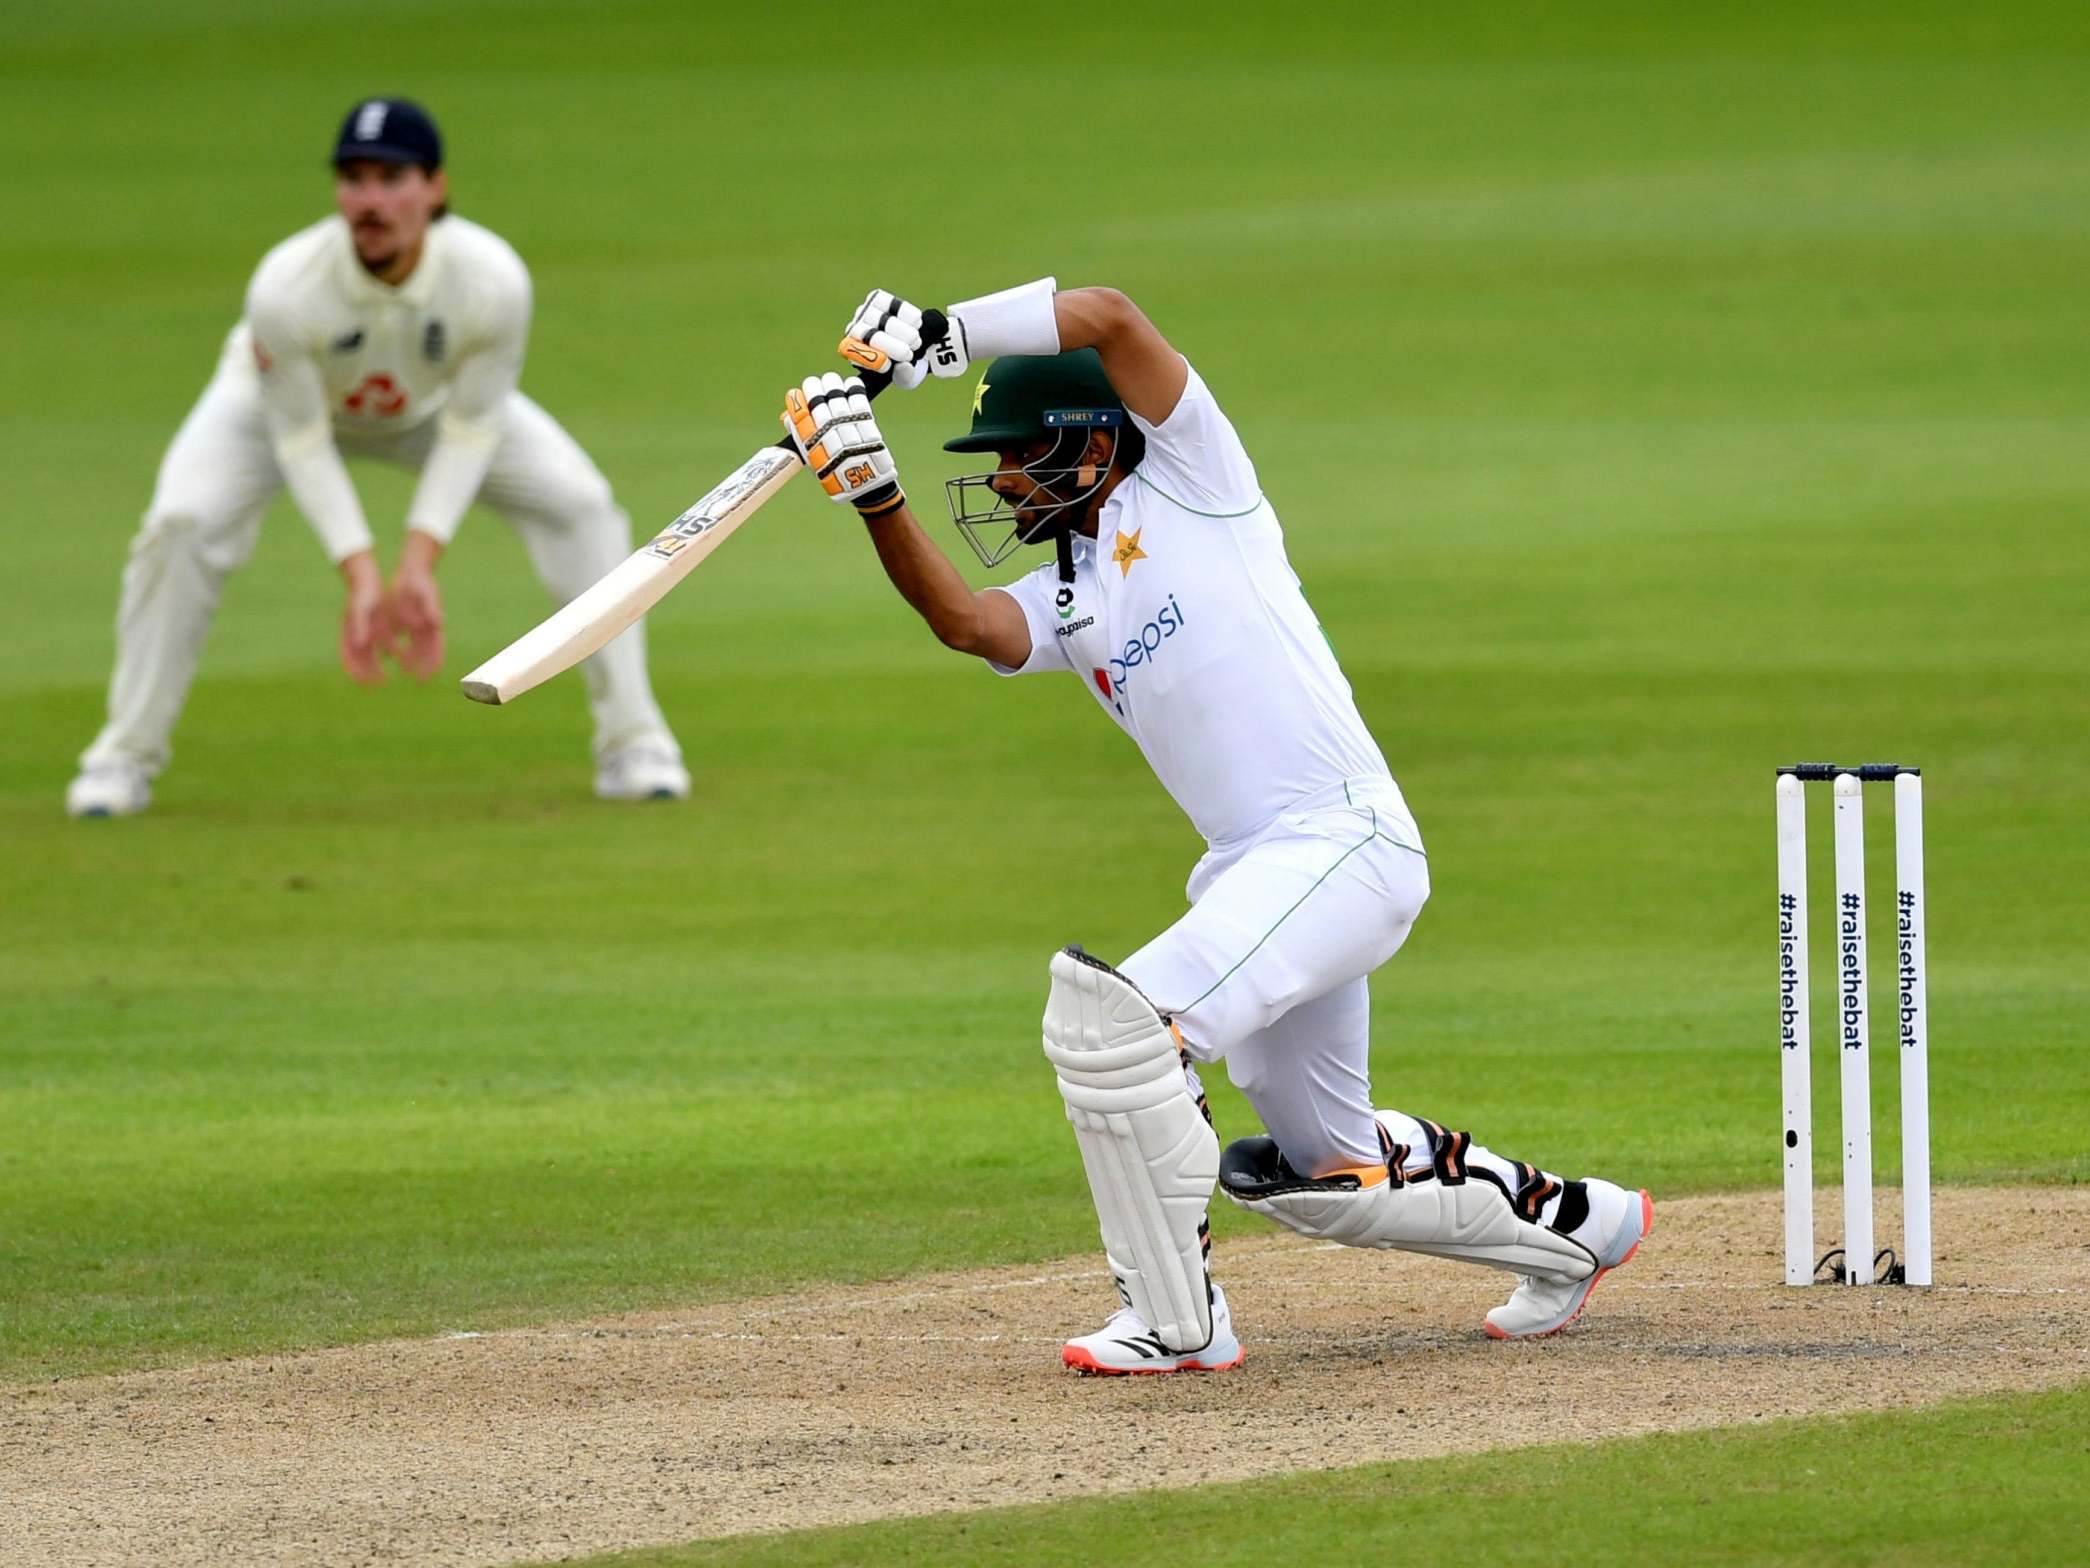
column 645, row 578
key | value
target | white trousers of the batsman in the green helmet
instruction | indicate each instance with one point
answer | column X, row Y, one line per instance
column 1268, row 969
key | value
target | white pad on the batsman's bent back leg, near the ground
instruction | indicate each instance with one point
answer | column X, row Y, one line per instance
column 1468, row 1220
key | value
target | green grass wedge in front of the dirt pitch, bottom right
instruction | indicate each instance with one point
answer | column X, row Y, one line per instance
column 1982, row 1481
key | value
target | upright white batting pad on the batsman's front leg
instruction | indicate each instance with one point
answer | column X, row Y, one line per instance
column 1148, row 1151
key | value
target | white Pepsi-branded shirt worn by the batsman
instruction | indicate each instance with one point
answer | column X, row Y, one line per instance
column 1188, row 626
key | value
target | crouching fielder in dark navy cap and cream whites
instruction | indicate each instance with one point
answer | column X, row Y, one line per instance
column 388, row 331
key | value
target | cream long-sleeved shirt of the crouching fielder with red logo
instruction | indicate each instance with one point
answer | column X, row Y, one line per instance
column 344, row 354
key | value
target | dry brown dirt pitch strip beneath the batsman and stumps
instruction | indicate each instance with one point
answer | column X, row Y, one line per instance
column 946, row 1393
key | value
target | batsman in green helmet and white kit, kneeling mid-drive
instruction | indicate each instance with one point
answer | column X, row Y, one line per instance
column 1169, row 597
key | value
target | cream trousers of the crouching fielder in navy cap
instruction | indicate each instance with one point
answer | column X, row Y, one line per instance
column 206, row 515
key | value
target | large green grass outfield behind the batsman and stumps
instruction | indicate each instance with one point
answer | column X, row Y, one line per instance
column 1648, row 402
